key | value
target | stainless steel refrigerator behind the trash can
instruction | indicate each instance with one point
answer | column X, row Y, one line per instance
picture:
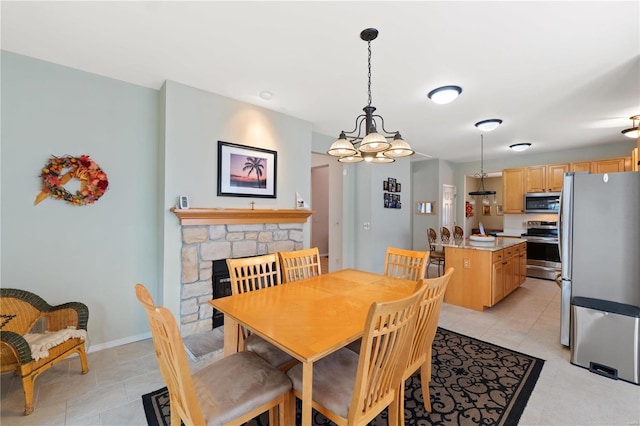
column 599, row 239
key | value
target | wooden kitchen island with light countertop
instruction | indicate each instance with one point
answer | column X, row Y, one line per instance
column 485, row 272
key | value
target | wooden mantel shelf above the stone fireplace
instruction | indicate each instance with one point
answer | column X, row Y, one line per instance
column 199, row 216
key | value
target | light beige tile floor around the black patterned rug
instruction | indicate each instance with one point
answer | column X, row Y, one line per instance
column 526, row 321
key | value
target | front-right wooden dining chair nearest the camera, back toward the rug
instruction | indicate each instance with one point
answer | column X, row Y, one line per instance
column 352, row 389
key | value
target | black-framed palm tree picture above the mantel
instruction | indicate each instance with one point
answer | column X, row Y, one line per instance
column 246, row 171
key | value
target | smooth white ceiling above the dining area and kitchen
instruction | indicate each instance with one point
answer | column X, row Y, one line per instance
column 561, row 74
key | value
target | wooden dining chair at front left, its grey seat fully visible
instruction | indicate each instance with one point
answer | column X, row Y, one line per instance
column 230, row 391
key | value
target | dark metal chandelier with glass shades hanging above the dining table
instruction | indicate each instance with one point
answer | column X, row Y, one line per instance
column 365, row 142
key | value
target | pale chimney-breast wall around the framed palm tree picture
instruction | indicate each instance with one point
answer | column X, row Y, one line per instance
column 194, row 122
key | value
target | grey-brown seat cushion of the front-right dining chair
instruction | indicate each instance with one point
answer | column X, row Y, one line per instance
column 334, row 379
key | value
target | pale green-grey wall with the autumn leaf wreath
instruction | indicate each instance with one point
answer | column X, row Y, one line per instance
column 95, row 253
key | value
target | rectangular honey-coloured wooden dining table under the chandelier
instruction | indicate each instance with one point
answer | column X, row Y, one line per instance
column 310, row 318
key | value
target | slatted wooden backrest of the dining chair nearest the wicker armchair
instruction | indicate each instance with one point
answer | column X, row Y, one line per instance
column 172, row 360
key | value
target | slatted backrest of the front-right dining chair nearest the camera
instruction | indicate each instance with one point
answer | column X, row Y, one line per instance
column 388, row 330
